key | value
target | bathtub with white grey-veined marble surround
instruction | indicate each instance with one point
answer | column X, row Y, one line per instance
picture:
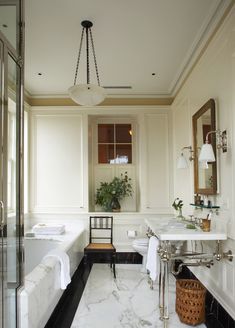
column 41, row 291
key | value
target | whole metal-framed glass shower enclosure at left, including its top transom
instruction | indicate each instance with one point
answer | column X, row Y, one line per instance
column 11, row 159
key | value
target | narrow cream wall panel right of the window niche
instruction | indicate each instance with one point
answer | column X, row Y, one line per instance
column 157, row 162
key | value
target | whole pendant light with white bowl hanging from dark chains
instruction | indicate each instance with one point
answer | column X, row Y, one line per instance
column 87, row 94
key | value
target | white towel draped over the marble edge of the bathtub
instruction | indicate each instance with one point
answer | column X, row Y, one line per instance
column 63, row 258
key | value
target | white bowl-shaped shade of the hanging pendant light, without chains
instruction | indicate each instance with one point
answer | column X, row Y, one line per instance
column 87, row 94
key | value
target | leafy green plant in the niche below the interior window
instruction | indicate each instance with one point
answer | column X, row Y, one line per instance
column 118, row 188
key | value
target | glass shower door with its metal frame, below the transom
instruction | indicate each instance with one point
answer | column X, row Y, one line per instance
column 11, row 227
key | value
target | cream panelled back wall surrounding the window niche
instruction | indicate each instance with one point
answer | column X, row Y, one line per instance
column 60, row 166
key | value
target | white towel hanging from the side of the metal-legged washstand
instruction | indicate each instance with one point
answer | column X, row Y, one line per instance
column 152, row 258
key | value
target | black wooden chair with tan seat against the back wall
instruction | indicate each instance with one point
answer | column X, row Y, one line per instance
column 101, row 241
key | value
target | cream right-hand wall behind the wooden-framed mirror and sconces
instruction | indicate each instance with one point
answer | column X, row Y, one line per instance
column 213, row 77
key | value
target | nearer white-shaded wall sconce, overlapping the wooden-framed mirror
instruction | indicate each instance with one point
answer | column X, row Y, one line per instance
column 207, row 153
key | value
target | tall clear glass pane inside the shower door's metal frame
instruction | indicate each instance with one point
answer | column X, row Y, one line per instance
column 12, row 183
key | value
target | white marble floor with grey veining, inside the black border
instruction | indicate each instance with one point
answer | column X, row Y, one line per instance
column 127, row 302
